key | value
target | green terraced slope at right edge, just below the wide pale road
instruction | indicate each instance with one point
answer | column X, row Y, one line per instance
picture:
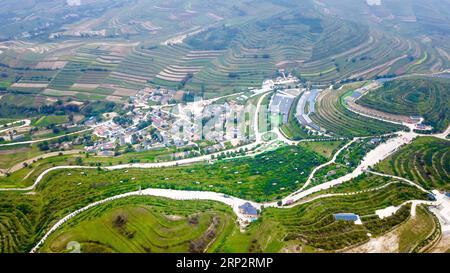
column 425, row 161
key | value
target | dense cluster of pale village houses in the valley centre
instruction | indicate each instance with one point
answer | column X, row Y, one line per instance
column 167, row 124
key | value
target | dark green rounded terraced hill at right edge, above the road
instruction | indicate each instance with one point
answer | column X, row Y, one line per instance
column 426, row 97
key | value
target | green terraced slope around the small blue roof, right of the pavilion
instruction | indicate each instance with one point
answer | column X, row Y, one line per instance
column 310, row 227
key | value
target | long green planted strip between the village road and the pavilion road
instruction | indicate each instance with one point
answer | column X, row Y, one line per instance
column 255, row 179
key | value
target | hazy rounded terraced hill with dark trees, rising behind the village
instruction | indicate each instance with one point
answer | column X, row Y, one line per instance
column 302, row 45
